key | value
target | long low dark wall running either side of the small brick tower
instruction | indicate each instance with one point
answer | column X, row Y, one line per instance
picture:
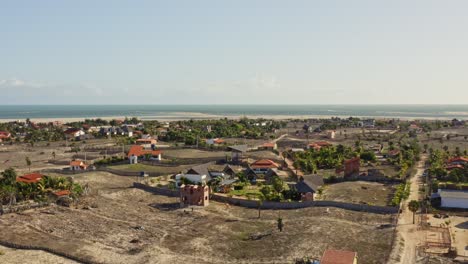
column 278, row 205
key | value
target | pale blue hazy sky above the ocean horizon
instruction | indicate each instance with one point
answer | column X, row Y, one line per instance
column 234, row 52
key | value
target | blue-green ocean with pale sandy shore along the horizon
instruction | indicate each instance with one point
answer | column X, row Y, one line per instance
column 213, row 111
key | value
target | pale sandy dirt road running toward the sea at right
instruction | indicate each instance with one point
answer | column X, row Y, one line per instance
column 406, row 229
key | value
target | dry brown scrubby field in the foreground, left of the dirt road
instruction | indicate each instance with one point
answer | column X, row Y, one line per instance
column 104, row 228
